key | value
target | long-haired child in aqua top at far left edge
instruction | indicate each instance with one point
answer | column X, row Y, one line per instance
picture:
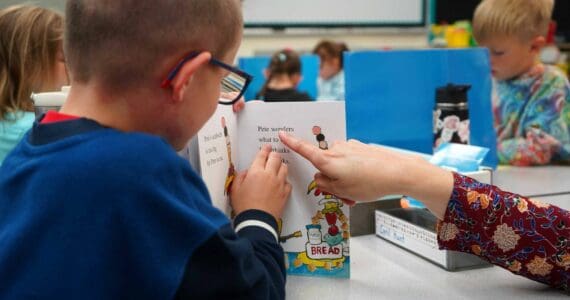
column 31, row 61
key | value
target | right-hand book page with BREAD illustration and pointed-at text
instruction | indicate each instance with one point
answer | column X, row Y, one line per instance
column 315, row 230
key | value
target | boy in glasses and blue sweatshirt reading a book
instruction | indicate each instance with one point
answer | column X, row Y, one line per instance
column 96, row 204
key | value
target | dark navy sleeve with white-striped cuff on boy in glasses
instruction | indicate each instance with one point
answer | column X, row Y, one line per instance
column 247, row 266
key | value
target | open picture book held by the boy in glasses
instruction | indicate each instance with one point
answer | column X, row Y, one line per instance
column 314, row 229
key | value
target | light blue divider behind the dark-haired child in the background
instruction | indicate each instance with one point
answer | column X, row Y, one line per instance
column 257, row 64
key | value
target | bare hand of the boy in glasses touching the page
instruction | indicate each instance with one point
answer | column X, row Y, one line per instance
column 264, row 186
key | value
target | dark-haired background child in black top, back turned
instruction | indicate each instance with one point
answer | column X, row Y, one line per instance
column 283, row 76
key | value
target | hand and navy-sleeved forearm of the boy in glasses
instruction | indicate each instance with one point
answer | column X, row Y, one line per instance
column 246, row 261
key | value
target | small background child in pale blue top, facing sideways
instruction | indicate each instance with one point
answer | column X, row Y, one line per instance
column 330, row 84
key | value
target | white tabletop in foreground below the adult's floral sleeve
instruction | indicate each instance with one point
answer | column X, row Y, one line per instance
column 381, row 270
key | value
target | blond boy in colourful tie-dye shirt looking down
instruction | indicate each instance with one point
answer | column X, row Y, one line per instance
column 531, row 103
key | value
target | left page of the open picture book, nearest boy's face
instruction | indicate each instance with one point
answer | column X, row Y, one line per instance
column 217, row 153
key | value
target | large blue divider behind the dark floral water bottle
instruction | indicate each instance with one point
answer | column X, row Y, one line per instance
column 390, row 96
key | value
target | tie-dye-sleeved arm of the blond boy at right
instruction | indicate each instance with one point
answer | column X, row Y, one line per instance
column 546, row 132
